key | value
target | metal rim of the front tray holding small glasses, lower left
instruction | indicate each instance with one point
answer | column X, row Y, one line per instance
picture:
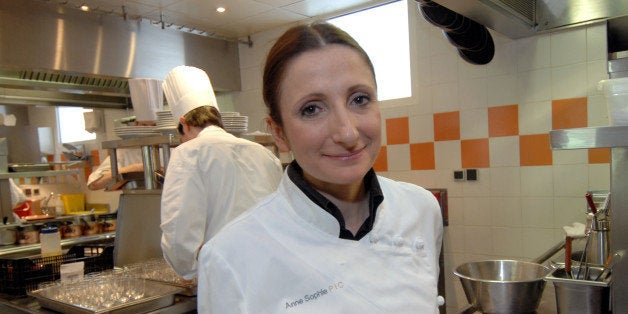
column 156, row 296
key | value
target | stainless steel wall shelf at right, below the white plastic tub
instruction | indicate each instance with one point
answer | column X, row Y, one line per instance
column 594, row 137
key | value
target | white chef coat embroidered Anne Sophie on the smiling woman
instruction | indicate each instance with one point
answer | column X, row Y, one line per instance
column 285, row 256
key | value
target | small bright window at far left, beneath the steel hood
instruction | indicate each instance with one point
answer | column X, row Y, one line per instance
column 72, row 125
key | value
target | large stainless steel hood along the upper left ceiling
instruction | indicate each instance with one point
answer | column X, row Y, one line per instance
column 52, row 54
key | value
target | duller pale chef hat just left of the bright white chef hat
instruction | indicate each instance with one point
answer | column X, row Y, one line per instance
column 147, row 97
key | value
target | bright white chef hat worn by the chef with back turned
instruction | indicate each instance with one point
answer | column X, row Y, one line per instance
column 188, row 88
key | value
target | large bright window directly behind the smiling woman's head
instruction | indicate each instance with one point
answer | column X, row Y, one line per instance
column 383, row 33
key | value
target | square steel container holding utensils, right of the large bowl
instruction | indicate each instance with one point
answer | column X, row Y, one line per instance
column 575, row 296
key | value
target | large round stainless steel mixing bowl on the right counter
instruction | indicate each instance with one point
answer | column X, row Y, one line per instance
column 503, row 286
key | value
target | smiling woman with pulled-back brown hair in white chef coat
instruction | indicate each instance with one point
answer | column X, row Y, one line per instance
column 334, row 237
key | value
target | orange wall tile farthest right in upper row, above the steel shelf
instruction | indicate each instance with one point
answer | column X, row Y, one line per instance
column 569, row 113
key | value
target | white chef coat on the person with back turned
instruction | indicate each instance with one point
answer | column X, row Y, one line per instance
column 211, row 179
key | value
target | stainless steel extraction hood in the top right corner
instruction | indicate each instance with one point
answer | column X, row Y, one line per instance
column 523, row 18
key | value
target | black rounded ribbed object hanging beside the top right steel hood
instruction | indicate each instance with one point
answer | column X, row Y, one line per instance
column 472, row 39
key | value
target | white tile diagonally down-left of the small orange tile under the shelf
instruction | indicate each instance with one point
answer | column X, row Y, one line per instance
column 570, row 180
